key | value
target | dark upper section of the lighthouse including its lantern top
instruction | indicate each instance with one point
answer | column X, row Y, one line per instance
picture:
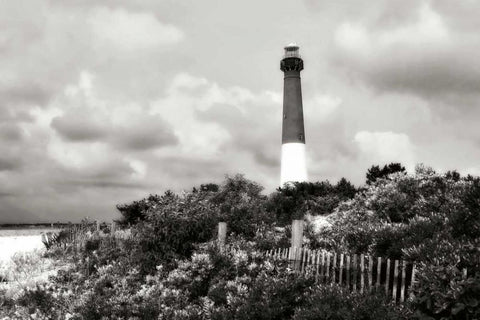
column 292, row 127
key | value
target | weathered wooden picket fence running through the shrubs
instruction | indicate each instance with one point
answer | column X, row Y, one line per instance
column 356, row 272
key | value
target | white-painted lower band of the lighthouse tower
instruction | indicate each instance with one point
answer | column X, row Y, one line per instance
column 294, row 167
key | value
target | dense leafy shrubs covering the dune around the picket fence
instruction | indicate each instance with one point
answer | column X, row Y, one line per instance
column 165, row 263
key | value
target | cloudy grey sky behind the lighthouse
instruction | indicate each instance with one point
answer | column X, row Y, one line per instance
column 104, row 102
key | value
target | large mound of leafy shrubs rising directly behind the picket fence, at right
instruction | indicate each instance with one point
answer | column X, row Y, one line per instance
column 404, row 215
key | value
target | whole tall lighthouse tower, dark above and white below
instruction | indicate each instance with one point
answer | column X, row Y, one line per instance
column 293, row 132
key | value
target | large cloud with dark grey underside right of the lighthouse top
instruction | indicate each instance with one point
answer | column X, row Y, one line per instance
column 419, row 56
